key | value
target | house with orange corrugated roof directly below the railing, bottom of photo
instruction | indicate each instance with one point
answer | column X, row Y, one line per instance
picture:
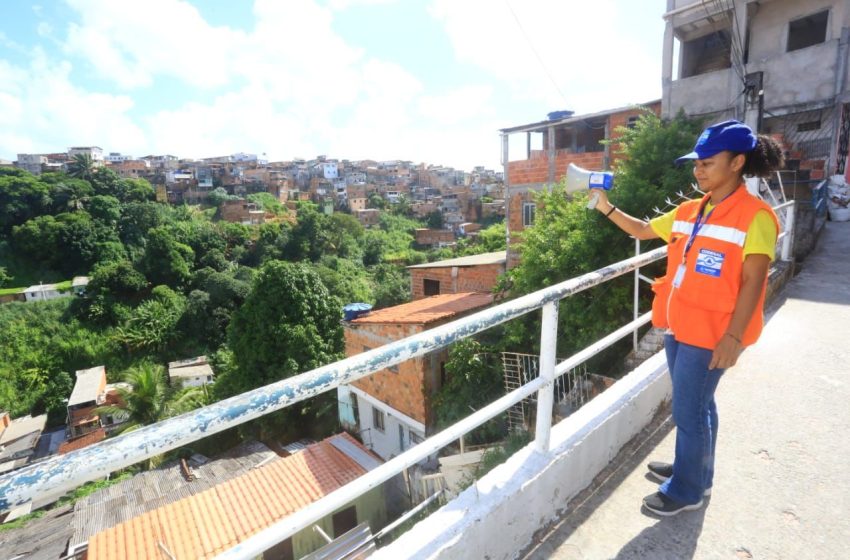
column 206, row 524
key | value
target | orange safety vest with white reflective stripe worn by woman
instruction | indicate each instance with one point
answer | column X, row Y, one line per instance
column 699, row 310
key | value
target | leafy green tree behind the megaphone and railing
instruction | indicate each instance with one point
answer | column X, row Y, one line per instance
column 567, row 240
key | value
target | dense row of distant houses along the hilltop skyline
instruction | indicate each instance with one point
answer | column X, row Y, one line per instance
column 460, row 197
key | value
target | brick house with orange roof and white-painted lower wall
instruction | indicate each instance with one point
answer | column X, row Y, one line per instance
column 391, row 409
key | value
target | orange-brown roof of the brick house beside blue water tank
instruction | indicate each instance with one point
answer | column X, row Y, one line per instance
column 427, row 310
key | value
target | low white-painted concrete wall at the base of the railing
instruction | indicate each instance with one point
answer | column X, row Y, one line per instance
column 498, row 516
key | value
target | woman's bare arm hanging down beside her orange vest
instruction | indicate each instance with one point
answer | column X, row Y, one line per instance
column 755, row 270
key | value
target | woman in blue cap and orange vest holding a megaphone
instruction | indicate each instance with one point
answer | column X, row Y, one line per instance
column 711, row 299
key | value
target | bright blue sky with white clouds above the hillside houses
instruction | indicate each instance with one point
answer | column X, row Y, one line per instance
column 421, row 80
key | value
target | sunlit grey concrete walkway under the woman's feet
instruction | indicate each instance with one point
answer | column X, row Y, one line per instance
column 782, row 482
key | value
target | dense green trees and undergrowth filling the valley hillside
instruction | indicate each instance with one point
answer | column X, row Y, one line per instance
column 170, row 282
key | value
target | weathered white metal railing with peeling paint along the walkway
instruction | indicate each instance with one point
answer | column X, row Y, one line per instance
column 60, row 474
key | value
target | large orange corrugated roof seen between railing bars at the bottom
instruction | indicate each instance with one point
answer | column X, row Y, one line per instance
column 215, row 520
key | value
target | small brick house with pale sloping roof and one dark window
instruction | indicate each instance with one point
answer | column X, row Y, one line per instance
column 475, row 273
